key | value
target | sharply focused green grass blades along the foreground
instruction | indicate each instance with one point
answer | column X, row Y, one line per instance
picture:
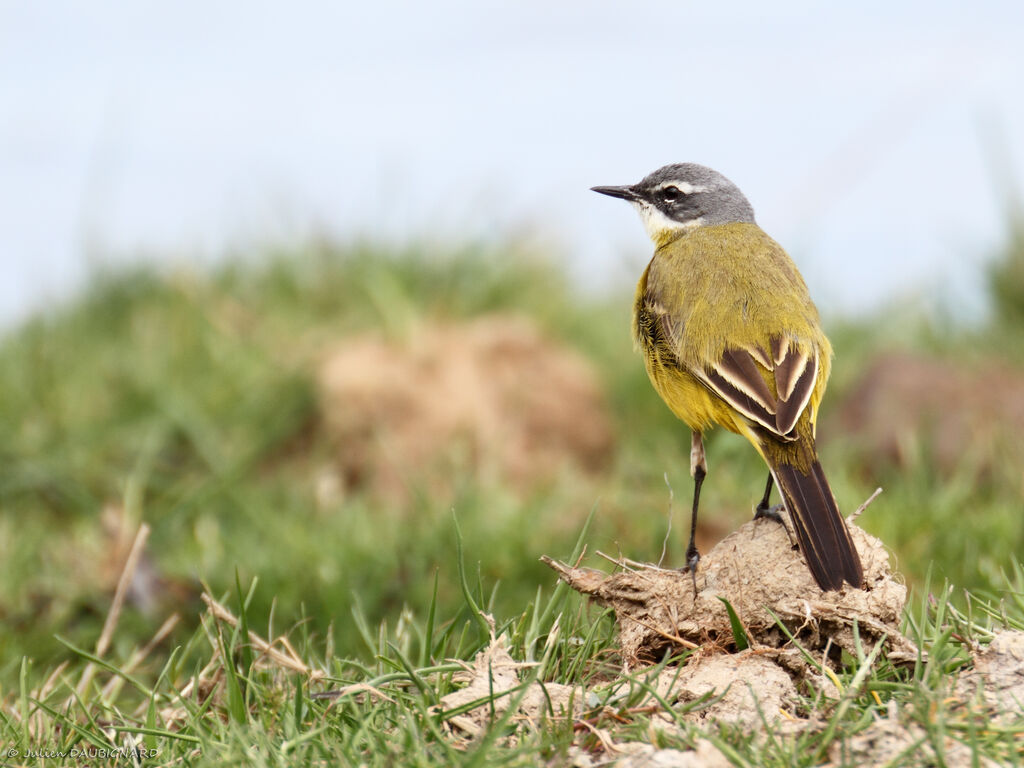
column 223, row 700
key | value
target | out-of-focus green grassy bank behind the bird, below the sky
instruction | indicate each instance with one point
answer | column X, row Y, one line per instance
column 190, row 401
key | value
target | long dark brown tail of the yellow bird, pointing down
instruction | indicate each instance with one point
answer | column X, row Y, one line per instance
column 822, row 531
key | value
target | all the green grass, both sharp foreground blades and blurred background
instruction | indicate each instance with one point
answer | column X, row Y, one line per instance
column 187, row 402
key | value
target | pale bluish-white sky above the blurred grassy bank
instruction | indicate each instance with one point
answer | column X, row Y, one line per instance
column 875, row 142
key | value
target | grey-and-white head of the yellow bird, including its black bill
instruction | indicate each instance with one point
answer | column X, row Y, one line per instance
column 684, row 196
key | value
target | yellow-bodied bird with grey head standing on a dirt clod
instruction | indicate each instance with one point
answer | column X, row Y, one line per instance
column 731, row 337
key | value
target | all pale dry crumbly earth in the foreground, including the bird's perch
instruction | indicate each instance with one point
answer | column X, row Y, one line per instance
column 771, row 685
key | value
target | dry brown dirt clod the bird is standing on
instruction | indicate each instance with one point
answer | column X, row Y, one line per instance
column 756, row 571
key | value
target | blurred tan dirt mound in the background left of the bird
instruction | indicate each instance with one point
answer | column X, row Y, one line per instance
column 494, row 397
